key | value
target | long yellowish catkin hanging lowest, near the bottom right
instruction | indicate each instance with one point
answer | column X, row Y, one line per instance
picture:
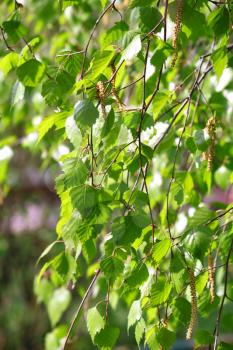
column 194, row 304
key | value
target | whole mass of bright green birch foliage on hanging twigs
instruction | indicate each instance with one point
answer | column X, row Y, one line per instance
column 128, row 130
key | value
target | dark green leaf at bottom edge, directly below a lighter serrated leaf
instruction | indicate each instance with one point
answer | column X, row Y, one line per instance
column 107, row 337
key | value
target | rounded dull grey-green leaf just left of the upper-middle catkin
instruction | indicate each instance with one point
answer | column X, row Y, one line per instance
column 85, row 113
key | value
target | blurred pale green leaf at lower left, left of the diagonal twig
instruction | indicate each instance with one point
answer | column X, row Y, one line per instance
column 57, row 305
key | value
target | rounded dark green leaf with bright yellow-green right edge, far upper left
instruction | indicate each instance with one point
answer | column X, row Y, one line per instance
column 31, row 72
